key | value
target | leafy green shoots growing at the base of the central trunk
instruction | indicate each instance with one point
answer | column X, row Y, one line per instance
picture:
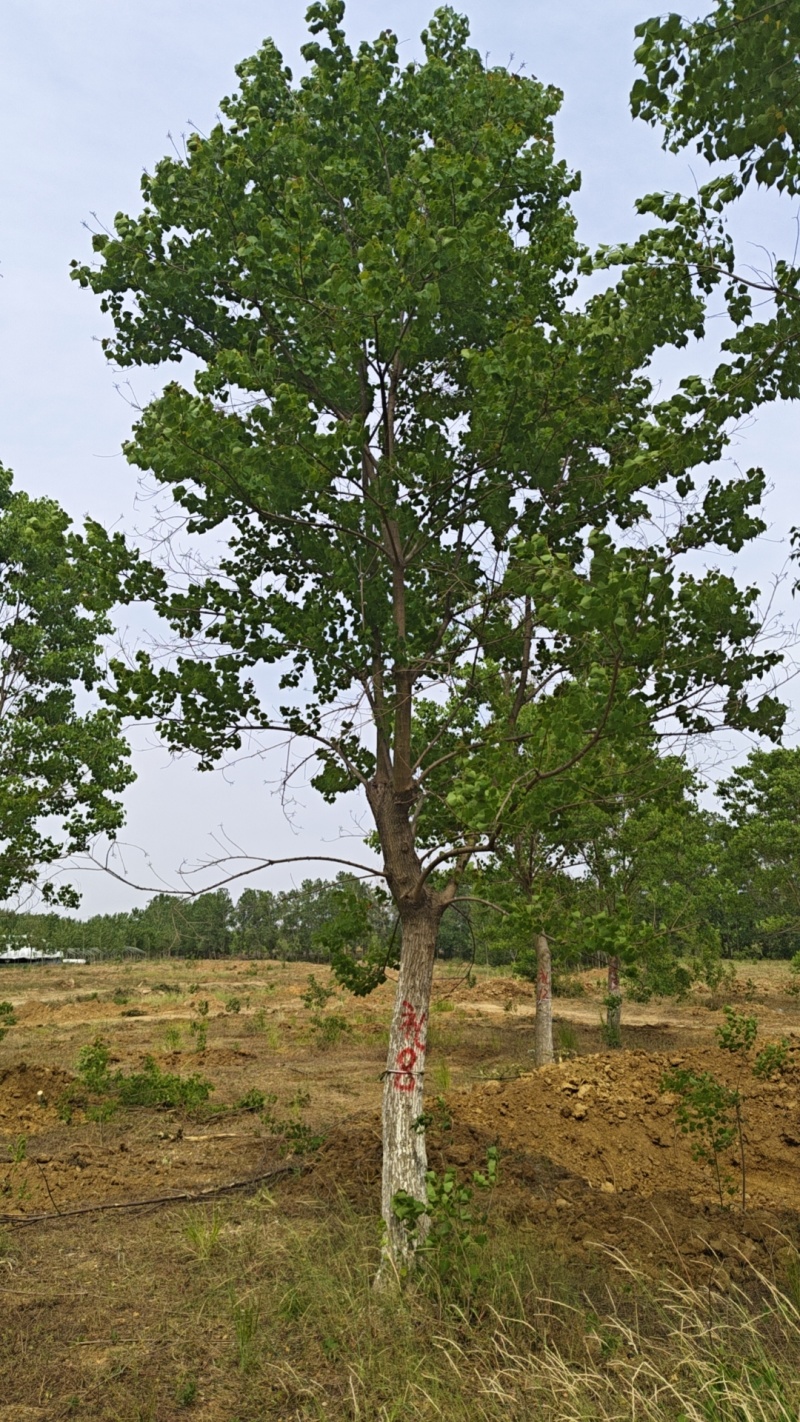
column 457, row 1231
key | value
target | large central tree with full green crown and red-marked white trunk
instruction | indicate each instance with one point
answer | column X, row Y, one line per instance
column 413, row 437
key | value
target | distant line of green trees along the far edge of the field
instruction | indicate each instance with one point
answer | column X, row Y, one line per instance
column 639, row 870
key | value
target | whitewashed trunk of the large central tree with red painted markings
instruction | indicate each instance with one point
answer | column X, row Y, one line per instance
column 406, row 1160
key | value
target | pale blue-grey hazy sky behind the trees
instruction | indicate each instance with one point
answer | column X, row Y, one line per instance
column 90, row 93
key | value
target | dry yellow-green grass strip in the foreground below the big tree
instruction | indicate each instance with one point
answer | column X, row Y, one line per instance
column 264, row 1309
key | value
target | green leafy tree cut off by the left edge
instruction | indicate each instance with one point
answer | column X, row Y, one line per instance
column 62, row 767
